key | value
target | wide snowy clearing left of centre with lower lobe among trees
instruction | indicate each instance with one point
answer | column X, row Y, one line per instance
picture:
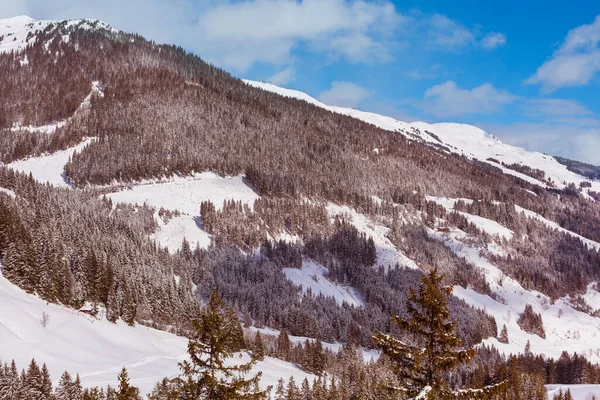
column 185, row 195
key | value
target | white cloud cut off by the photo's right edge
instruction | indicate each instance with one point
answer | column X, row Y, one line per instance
column 575, row 63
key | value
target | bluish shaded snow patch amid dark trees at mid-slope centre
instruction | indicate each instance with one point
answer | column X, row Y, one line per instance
column 312, row 275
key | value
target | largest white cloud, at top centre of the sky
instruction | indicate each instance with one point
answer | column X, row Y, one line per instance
column 240, row 34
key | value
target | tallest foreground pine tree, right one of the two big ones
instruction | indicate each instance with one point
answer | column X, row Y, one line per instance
column 421, row 368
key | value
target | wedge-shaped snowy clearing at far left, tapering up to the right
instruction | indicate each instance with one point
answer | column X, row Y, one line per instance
column 49, row 168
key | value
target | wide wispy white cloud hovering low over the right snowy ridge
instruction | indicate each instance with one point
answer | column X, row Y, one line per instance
column 448, row 100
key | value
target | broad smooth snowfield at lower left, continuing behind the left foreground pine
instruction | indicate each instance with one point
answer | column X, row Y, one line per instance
column 98, row 349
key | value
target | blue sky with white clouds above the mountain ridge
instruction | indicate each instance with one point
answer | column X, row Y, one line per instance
column 527, row 72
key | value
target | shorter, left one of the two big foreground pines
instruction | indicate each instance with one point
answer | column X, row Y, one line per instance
column 207, row 376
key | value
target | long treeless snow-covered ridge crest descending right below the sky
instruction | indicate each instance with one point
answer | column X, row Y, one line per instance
column 462, row 139
